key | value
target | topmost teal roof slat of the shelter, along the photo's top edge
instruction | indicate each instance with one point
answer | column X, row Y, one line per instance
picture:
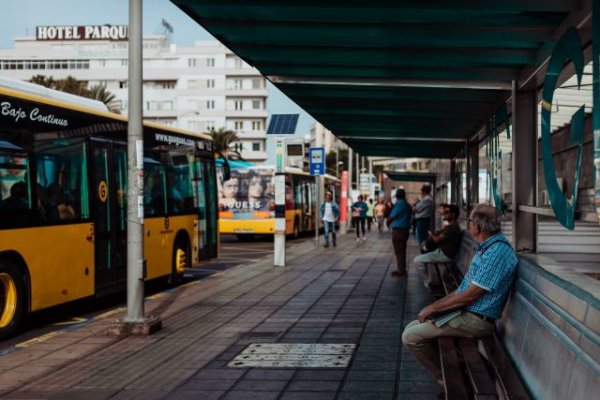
column 530, row 12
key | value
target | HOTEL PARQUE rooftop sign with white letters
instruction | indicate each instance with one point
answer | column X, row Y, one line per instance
column 82, row 32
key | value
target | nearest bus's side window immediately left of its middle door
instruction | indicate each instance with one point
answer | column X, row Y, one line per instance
column 62, row 180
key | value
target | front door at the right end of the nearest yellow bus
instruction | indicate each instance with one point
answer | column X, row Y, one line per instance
column 207, row 209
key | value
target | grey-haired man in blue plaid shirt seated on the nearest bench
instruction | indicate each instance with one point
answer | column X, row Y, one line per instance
column 481, row 295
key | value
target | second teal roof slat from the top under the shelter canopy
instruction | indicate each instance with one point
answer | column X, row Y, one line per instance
column 396, row 35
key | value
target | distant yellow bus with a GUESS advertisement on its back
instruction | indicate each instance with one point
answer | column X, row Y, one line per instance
column 247, row 201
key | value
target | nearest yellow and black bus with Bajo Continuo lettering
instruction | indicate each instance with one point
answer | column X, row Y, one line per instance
column 63, row 184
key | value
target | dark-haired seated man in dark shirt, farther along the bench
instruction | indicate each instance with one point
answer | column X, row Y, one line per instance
column 443, row 247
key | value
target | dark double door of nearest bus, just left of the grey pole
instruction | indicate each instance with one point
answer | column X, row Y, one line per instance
column 110, row 215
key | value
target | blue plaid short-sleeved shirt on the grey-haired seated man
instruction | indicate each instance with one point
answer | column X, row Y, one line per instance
column 493, row 268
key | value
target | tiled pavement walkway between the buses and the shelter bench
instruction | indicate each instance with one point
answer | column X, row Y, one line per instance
column 334, row 295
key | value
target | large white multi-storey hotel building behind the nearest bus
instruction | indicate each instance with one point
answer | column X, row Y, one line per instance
column 194, row 88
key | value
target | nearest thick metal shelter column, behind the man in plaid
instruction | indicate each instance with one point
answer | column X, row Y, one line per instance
column 525, row 165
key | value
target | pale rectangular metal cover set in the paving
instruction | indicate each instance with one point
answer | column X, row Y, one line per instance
column 300, row 355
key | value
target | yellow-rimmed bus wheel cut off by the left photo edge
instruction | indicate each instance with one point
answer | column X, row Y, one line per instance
column 11, row 299
